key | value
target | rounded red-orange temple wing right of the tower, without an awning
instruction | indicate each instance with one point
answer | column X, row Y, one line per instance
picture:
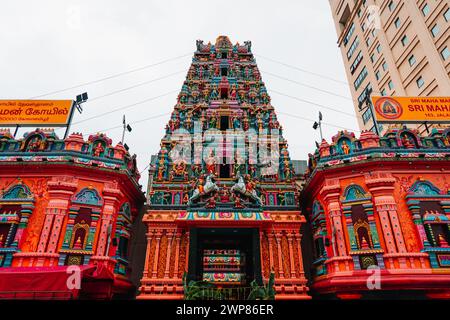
column 379, row 212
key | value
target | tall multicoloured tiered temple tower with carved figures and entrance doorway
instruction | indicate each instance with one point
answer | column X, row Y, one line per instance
column 223, row 203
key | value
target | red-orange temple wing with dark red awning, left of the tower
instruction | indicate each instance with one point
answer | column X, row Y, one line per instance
column 66, row 202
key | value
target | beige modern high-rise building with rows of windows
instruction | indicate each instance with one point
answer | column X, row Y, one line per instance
column 394, row 48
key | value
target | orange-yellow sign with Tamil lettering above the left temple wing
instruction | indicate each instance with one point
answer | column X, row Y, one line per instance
column 35, row 112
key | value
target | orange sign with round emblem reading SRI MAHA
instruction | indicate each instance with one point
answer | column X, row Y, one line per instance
column 412, row 109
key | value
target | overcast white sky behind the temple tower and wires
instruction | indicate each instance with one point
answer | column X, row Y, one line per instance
column 48, row 45
